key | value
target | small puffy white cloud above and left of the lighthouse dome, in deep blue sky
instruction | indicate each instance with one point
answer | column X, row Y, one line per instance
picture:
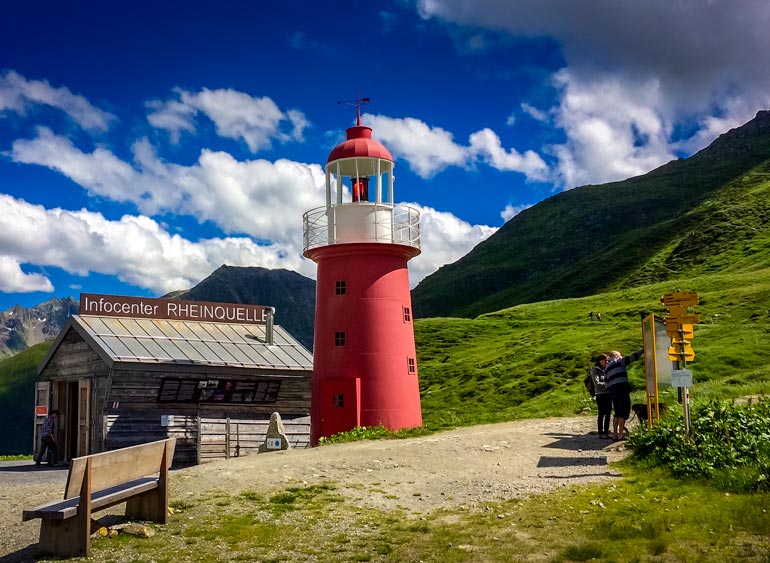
column 236, row 115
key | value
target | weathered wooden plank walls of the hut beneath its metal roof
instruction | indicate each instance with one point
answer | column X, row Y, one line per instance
column 125, row 409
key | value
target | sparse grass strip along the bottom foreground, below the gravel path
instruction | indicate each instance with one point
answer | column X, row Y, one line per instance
column 646, row 516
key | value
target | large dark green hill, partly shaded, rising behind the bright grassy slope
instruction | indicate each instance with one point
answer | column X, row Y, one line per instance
column 704, row 214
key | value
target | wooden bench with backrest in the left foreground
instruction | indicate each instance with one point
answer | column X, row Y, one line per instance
column 137, row 475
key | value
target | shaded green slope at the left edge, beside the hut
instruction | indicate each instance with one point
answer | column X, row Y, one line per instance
column 17, row 396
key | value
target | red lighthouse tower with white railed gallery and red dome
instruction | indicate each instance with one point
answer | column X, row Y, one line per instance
column 364, row 362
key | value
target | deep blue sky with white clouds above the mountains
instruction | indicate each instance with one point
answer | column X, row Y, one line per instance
column 143, row 145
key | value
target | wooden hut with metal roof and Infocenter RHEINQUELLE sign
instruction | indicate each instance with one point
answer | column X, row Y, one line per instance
column 131, row 370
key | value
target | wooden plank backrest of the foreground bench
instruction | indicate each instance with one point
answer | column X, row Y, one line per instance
column 119, row 466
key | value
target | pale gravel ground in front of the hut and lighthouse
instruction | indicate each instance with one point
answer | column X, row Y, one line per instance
column 463, row 467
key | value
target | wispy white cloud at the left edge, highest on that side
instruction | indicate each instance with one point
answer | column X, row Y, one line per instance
column 18, row 94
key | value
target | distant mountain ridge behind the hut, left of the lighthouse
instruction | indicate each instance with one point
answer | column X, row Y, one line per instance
column 292, row 295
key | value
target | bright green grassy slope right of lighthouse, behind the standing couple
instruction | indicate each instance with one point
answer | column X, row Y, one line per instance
column 529, row 360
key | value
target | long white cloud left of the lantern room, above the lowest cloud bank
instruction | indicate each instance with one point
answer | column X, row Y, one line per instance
column 260, row 198
